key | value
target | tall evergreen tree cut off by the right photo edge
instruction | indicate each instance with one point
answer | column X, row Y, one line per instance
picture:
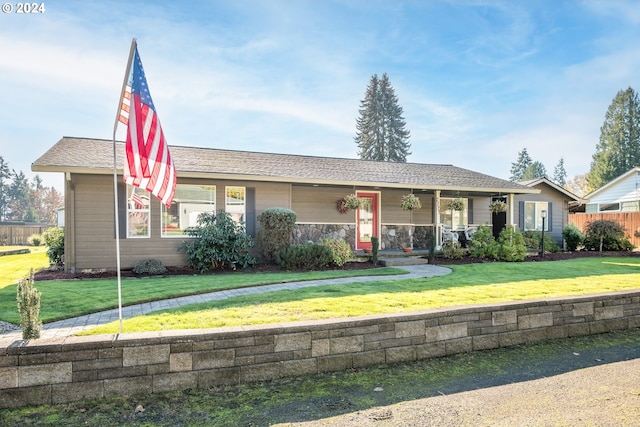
column 618, row 150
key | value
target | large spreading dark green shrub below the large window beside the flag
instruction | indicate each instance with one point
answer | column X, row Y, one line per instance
column 219, row 244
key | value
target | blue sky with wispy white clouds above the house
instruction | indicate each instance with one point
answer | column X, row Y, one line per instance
column 479, row 81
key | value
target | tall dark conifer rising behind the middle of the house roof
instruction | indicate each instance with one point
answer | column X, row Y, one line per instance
column 381, row 129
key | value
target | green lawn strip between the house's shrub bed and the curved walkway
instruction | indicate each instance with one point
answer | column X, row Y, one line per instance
column 71, row 298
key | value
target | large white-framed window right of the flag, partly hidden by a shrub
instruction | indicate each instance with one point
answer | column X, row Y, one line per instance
column 189, row 201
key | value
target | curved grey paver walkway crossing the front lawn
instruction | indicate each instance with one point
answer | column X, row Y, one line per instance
column 76, row 325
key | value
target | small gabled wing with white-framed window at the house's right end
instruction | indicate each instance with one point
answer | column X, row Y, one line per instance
column 553, row 200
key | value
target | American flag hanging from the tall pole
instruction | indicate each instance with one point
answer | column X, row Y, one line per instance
column 148, row 163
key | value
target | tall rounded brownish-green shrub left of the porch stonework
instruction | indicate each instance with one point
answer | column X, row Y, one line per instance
column 276, row 227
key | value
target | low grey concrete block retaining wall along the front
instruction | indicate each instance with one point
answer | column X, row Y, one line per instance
column 76, row 368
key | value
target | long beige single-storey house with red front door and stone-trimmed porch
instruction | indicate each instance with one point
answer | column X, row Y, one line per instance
column 245, row 184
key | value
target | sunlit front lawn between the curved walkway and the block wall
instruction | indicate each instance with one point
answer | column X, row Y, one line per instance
column 469, row 284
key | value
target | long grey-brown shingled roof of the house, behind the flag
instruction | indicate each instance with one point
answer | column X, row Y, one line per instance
column 95, row 156
